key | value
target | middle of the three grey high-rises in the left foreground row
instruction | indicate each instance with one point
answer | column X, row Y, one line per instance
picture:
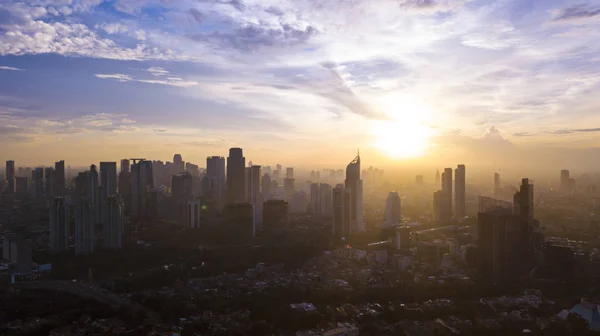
column 84, row 227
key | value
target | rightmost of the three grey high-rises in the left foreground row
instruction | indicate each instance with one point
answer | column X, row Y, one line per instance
column 114, row 226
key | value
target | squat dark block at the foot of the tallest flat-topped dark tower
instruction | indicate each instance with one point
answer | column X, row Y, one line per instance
column 241, row 220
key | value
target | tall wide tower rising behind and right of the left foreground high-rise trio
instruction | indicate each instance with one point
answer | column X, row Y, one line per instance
column 142, row 182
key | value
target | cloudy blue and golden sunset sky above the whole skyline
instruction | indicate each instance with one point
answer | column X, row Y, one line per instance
column 505, row 82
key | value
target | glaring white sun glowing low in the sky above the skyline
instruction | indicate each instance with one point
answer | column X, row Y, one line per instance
column 405, row 135
